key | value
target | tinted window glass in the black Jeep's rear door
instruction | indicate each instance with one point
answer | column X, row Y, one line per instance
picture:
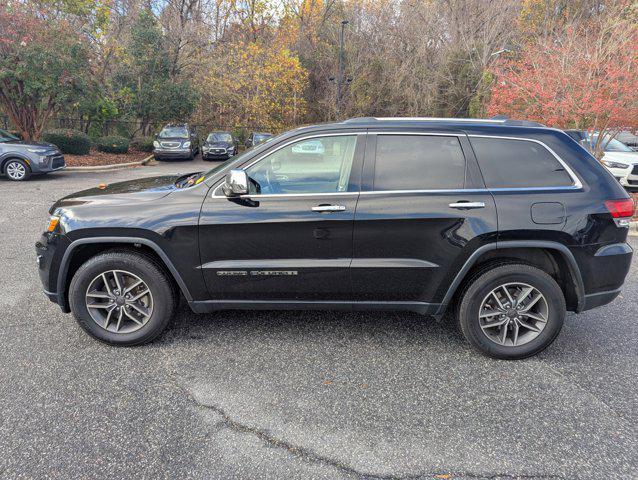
column 418, row 162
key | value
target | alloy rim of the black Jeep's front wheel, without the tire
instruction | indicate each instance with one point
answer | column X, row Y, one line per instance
column 119, row 301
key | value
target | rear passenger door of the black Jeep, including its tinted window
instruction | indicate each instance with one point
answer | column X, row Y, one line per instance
column 423, row 209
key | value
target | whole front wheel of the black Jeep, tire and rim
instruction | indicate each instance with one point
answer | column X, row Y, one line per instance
column 122, row 298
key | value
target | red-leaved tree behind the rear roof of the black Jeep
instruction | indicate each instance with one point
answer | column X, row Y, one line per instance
column 585, row 78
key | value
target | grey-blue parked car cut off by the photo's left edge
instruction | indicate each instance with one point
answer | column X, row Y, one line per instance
column 20, row 159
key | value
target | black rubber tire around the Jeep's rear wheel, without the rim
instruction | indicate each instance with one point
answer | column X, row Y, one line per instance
column 480, row 286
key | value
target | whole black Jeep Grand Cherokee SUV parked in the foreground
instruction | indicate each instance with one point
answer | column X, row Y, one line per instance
column 503, row 225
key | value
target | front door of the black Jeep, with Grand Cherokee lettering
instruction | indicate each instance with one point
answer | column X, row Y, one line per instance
column 291, row 238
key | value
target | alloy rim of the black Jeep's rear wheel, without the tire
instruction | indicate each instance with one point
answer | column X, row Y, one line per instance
column 513, row 314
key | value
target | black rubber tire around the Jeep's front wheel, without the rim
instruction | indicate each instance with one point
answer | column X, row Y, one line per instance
column 164, row 292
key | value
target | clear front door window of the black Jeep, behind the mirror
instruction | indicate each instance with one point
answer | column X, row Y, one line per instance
column 315, row 165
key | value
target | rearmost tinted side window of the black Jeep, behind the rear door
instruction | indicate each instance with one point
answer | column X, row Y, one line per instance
column 518, row 164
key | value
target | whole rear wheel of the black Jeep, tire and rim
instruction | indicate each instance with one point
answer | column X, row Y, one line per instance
column 511, row 311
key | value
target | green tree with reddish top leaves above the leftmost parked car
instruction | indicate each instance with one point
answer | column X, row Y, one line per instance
column 44, row 66
